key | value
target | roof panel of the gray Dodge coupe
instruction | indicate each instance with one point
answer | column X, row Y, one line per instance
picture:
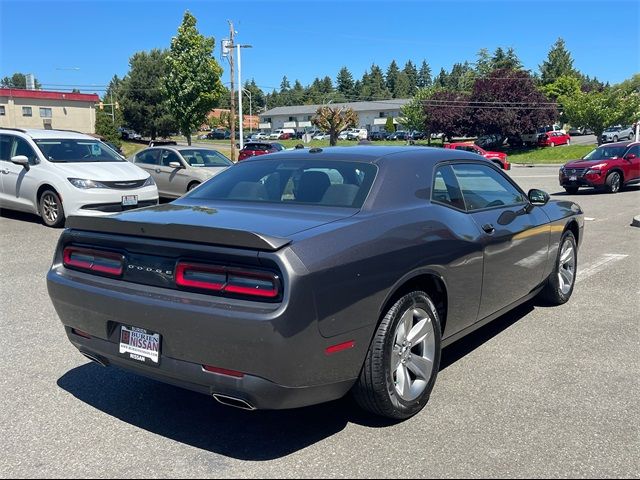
column 368, row 154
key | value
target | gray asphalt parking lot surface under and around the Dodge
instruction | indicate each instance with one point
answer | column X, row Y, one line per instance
column 540, row 392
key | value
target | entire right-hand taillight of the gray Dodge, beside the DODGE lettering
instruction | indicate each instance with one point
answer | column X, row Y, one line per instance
column 221, row 279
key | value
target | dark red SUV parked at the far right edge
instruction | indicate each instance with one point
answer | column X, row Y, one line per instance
column 609, row 167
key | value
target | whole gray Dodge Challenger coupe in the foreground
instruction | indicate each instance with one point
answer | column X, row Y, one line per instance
column 298, row 277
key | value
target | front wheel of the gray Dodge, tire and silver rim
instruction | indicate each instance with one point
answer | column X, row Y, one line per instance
column 560, row 283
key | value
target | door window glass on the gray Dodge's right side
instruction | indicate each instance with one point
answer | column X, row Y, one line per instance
column 483, row 187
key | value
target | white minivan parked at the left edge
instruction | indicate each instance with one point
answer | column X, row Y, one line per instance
column 55, row 174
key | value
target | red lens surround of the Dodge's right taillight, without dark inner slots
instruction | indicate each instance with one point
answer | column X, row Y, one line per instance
column 228, row 286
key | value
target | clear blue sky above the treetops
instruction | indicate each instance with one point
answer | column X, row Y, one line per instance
column 87, row 42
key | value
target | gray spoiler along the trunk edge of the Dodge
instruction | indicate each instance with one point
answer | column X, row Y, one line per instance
column 171, row 231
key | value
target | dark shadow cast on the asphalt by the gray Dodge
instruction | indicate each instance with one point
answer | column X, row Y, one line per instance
column 197, row 420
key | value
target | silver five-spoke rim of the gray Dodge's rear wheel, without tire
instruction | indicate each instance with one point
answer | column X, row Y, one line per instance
column 413, row 354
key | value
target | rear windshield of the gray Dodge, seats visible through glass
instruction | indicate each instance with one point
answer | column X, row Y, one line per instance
column 311, row 182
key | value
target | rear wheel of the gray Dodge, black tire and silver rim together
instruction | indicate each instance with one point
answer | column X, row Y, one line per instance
column 403, row 360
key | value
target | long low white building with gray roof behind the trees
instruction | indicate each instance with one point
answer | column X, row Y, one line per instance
column 372, row 115
